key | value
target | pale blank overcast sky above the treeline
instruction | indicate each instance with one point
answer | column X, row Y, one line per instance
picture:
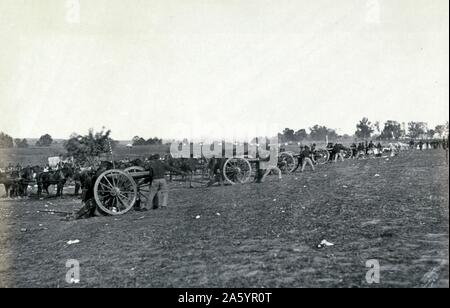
column 219, row 68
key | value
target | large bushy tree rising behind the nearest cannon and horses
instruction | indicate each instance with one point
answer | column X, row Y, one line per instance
column 88, row 147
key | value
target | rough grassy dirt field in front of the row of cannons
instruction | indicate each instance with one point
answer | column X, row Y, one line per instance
column 256, row 235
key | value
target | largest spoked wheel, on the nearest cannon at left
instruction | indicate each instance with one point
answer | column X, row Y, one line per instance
column 115, row 192
